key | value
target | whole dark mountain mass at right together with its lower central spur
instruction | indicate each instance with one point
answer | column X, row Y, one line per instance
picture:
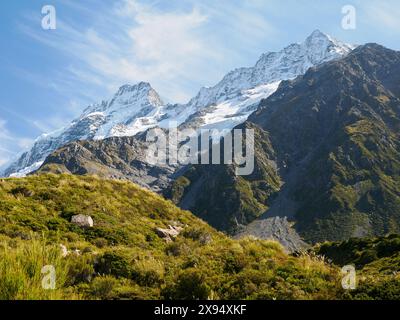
column 327, row 155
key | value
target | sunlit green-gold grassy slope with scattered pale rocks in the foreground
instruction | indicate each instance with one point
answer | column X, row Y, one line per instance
column 123, row 258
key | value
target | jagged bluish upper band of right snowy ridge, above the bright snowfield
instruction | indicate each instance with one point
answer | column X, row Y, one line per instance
column 289, row 63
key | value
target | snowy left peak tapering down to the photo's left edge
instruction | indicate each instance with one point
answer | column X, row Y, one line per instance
column 116, row 117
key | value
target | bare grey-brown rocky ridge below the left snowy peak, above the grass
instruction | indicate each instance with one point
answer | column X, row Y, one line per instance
column 116, row 158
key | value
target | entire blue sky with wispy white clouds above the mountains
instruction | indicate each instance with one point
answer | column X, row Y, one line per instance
column 47, row 77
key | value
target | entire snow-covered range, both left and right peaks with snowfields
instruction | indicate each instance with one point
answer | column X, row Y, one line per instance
column 134, row 109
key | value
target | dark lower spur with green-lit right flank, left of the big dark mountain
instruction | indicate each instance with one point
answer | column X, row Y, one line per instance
column 227, row 201
